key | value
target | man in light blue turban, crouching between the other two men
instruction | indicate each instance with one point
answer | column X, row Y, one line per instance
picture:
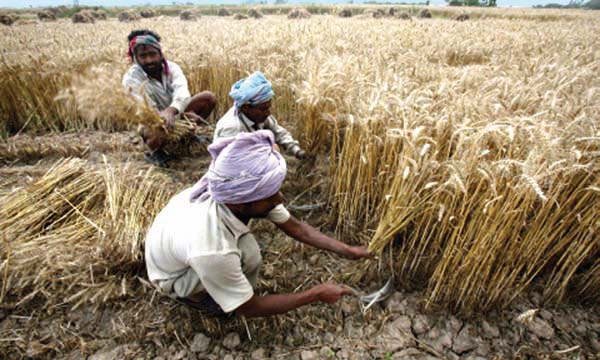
column 251, row 112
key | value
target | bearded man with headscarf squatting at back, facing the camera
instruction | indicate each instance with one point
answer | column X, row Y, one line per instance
column 162, row 84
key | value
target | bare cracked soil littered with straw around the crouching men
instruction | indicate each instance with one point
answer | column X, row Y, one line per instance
column 146, row 325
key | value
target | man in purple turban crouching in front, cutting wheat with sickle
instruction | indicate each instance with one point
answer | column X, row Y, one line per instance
column 199, row 249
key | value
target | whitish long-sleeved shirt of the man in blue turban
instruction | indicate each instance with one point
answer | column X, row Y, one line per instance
column 235, row 122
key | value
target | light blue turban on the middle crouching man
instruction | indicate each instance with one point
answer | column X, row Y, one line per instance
column 255, row 89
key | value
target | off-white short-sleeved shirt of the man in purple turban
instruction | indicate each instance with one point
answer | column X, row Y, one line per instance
column 202, row 235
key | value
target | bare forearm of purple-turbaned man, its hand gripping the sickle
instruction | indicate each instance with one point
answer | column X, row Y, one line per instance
column 277, row 304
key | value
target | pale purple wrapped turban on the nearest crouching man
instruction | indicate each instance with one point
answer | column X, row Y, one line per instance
column 244, row 168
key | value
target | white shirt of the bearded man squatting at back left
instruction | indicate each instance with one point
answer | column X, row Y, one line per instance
column 172, row 90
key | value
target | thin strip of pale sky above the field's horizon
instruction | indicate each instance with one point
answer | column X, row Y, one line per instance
column 42, row 3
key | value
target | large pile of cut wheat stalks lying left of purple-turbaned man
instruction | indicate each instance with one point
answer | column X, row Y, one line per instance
column 76, row 235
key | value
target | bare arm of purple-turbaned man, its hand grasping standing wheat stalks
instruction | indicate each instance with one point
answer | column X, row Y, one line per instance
column 307, row 234
